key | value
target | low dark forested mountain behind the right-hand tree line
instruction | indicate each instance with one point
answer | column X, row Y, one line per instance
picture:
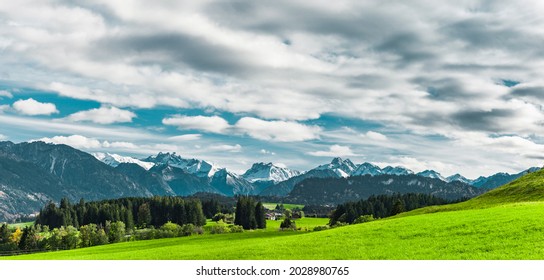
column 331, row 191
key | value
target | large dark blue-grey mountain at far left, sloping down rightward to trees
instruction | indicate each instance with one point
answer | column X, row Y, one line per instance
column 36, row 172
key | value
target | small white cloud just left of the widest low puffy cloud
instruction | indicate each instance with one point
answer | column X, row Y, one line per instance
column 213, row 124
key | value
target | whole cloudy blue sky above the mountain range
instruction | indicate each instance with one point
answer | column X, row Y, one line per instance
column 454, row 86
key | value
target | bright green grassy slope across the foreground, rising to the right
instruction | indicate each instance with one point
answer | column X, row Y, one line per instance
column 507, row 223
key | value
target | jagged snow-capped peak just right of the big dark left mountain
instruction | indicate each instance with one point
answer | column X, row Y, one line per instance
column 197, row 167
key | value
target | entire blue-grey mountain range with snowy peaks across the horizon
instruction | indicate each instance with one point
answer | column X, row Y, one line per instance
column 33, row 173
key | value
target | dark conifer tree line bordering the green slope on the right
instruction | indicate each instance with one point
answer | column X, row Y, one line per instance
column 382, row 206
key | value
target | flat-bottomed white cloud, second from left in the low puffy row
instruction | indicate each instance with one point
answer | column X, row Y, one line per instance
column 103, row 115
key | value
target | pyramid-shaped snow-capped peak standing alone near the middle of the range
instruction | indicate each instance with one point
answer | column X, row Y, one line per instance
column 268, row 172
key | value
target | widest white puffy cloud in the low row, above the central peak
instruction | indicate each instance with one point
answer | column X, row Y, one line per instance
column 279, row 131
